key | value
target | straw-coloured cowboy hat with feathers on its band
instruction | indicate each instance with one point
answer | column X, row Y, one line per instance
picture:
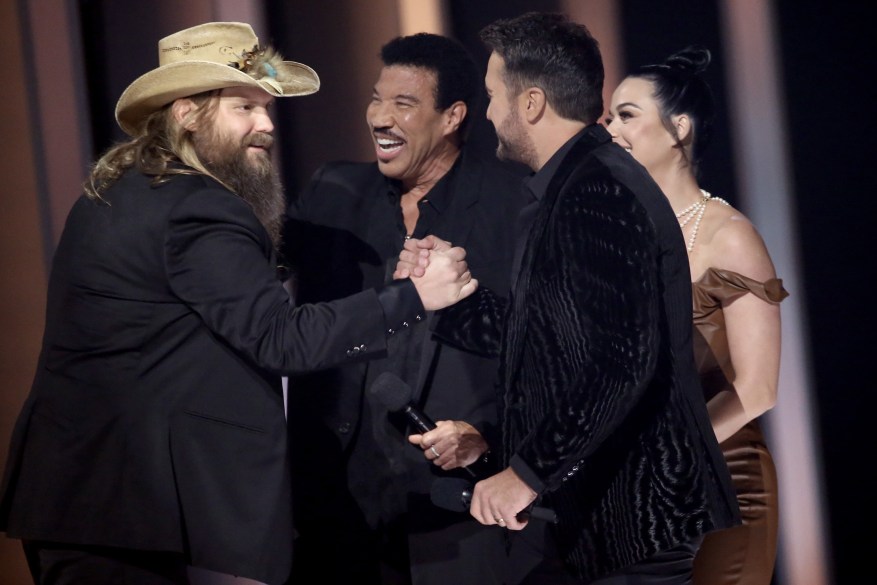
column 207, row 57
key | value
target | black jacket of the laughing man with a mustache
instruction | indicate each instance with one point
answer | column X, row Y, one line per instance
column 339, row 238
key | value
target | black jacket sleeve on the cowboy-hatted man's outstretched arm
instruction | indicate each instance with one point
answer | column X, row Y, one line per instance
column 219, row 262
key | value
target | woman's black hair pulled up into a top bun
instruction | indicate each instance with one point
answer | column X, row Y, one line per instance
column 680, row 89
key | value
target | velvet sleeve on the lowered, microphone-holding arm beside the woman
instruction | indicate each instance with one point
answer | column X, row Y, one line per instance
column 593, row 329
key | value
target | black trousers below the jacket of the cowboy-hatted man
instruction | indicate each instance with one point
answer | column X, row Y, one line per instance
column 70, row 564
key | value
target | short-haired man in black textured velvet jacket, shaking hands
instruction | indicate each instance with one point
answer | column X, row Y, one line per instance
column 602, row 414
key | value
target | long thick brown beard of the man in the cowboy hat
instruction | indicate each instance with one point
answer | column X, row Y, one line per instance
column 253, row 179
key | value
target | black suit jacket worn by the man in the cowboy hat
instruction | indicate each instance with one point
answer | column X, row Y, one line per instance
column 156, row 419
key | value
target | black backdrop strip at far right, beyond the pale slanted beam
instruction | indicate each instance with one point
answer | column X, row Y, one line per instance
column 828, row 75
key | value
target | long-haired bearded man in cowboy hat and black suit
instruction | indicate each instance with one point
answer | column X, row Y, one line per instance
column 154, row 438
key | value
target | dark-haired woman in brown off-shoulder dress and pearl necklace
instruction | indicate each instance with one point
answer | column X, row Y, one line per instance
column 662, row 115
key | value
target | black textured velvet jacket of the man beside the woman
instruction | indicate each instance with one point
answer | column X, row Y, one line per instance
column 602, row 410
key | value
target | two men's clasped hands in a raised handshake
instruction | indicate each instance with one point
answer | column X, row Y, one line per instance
column 438, row 270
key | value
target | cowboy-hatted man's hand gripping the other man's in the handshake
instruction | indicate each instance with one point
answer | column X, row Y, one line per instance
column 446, row 279
